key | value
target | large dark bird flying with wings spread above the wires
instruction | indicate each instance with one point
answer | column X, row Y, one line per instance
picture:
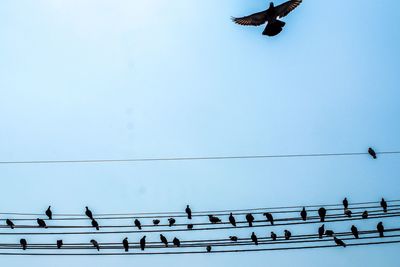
column 270, row 16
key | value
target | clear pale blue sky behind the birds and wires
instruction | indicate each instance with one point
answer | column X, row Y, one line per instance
column 115, row 79
